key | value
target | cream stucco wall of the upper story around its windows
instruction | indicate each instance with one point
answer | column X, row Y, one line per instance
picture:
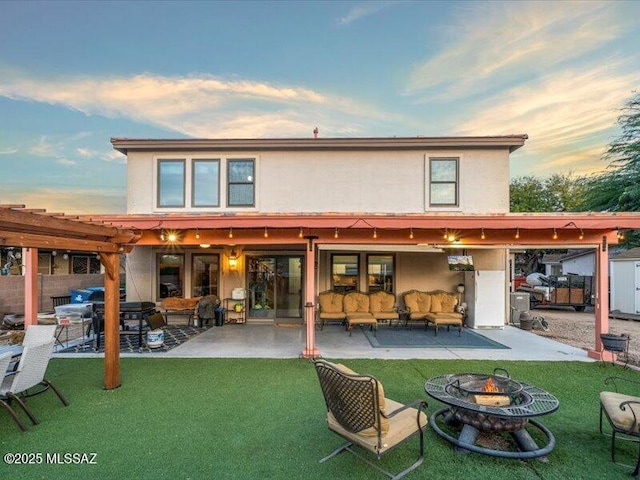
column 338, row 181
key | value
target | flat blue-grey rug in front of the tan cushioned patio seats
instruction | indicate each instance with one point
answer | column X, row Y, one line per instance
column 390, row 337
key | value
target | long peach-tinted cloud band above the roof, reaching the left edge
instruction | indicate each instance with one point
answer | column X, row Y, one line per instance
column 198, row 106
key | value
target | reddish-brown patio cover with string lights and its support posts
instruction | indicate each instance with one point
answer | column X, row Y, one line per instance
column 453, row 232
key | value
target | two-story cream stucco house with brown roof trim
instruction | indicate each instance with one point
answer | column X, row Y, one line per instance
column 285, row 219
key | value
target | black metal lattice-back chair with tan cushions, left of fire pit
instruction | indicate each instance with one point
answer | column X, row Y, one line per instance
column 356, row 410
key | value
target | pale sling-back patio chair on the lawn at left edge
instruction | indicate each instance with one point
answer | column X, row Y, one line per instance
column 30, row 373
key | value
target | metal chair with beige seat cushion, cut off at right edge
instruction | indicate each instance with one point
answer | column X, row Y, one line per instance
column 623, row 413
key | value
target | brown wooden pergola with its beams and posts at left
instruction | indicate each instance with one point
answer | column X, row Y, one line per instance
column 33, row 229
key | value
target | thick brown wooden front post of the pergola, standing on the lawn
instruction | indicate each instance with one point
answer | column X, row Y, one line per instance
column 111, row 262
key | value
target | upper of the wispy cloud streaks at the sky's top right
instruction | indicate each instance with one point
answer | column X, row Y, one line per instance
column 492, row 44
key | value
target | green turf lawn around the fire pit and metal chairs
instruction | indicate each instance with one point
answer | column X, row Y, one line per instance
column 253, row 419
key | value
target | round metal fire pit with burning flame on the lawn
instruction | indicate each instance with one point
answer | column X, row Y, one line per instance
column 492, row 404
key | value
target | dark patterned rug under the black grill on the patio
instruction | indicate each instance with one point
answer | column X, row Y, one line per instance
column 174, row 335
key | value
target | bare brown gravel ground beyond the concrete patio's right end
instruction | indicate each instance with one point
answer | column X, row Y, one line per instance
column 578, row 329
